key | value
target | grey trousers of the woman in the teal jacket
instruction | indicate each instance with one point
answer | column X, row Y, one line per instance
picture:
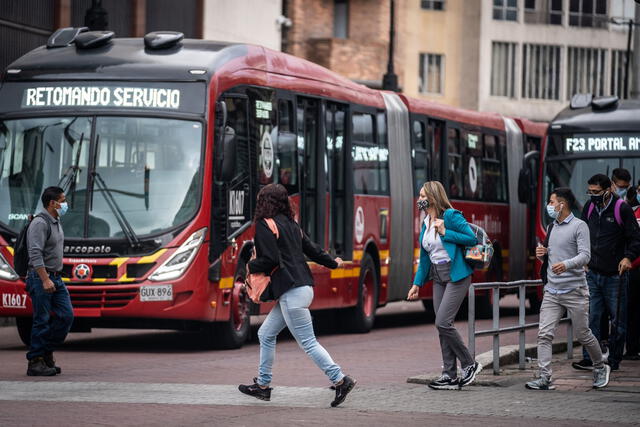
column 447, row 298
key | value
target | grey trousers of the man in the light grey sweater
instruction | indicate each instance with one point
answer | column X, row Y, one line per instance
column 576, row 303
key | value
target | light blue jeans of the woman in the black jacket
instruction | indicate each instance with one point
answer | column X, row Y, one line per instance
column 292, row 311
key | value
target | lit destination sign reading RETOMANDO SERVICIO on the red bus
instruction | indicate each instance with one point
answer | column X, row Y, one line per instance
column 176, row 97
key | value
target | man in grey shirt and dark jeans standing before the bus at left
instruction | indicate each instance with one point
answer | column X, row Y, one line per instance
column 44, row 243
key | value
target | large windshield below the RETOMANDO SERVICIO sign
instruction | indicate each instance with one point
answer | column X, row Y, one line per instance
column 146, row 170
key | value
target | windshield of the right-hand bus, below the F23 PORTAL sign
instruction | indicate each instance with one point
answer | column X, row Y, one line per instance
column 563, row 169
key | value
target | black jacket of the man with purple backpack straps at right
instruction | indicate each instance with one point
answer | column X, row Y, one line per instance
column 611, row 242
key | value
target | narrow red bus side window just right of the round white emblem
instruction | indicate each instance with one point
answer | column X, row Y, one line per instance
column 286, row 167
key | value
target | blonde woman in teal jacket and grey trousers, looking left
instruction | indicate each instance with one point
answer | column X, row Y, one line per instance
column 444, row 235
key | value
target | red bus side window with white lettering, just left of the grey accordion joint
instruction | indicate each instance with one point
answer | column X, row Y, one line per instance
column 366, row 178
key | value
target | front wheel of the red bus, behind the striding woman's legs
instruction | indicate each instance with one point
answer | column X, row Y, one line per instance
column 234, row 332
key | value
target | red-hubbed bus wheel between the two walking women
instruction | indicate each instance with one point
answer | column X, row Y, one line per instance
column 361, row 317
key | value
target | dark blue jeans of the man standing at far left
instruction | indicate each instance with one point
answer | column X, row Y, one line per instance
column 48, row 331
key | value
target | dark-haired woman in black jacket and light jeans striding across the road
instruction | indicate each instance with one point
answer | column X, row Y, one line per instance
column 283, row 258
